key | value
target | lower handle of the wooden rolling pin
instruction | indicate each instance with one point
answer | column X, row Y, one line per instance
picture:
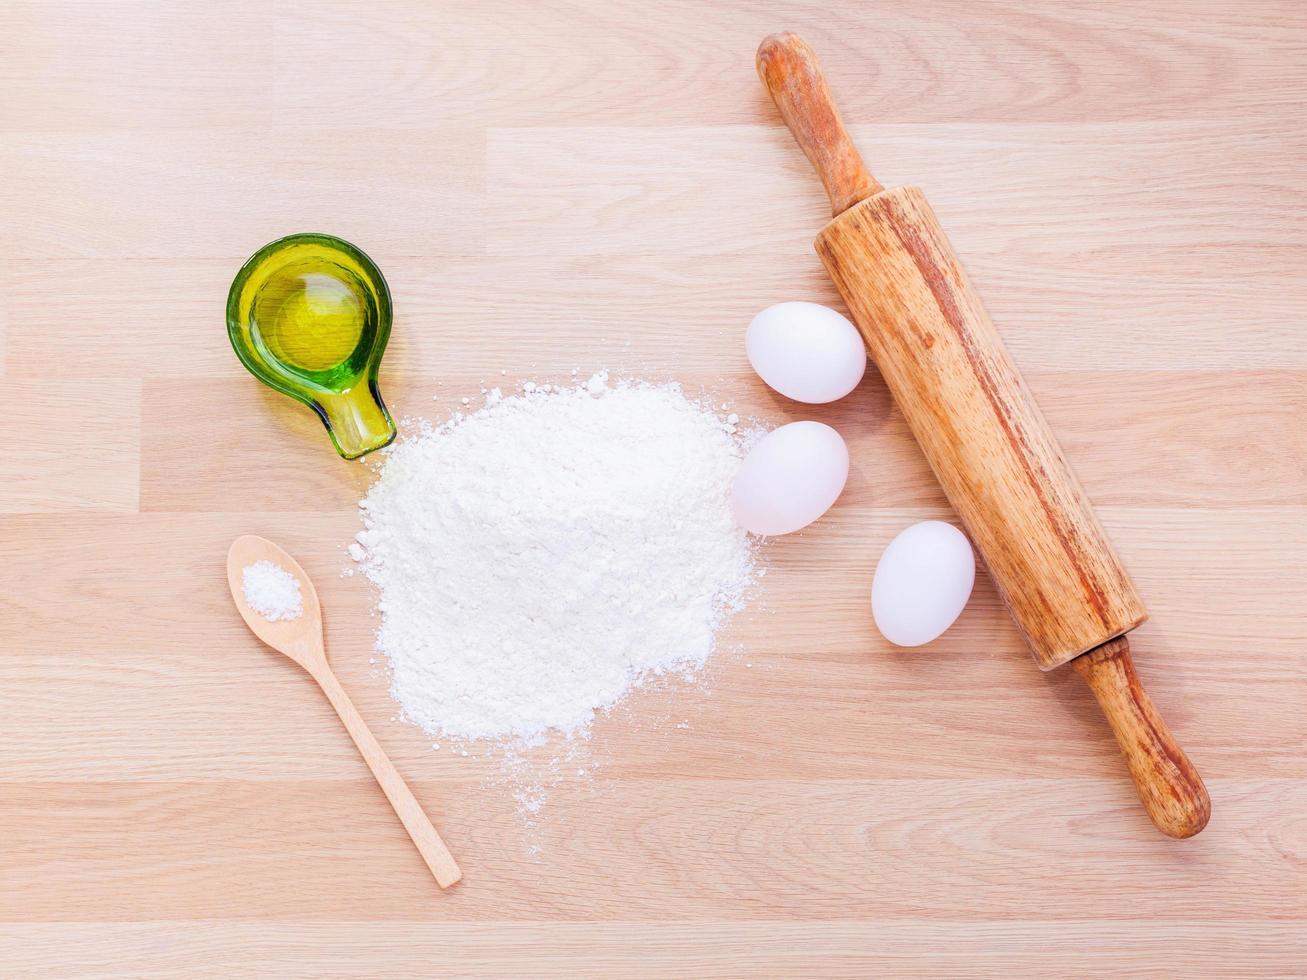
column 1170, row 787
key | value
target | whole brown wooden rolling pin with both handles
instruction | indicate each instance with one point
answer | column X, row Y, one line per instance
column 984, row 436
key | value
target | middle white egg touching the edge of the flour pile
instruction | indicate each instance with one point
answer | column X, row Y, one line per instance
column 790, row 479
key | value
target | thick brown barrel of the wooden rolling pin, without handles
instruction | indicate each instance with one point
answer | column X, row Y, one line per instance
column 981, row 432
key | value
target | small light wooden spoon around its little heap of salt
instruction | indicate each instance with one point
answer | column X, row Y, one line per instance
column 301, row 640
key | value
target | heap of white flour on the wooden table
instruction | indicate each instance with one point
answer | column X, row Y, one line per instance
column 540, row 557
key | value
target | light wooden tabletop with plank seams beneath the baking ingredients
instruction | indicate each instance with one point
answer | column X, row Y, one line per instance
column 576, row 184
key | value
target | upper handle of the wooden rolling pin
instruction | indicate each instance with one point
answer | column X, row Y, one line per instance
column 791, row 73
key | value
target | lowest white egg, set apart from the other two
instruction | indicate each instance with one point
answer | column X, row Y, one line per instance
column 922, row 583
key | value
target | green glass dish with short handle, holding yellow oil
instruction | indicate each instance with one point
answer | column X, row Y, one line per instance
column 309, row 316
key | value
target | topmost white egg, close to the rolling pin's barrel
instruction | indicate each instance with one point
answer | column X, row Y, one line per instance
column 807, row 352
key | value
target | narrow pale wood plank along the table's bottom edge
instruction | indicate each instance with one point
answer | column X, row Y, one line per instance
column 382, row 951
